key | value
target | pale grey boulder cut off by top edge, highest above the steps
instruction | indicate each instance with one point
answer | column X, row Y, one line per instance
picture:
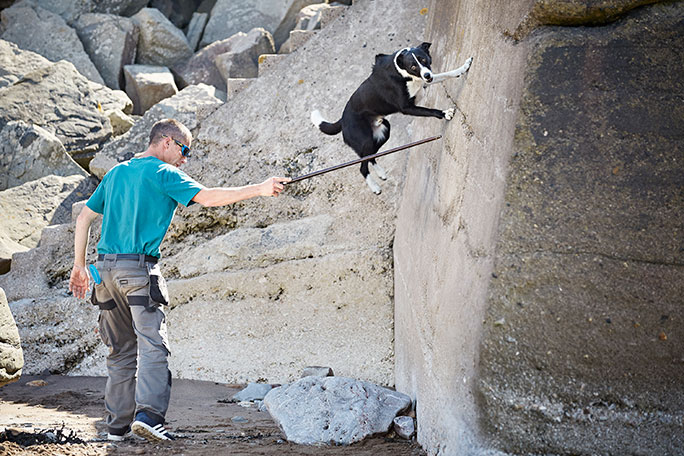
column 229, row 17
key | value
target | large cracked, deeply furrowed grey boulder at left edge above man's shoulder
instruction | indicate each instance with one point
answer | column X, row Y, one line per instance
column 68, row 106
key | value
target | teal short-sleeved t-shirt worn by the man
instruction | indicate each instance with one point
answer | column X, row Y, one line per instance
column 138, row 199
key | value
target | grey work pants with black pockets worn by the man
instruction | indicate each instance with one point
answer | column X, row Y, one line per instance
column 133, row 327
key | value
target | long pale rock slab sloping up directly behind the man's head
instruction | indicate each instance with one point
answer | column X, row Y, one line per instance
column 182, row 106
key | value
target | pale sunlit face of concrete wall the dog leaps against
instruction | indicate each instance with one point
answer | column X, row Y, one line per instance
column 446, row 227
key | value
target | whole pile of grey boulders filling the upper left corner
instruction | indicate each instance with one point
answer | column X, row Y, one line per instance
column 72, row 88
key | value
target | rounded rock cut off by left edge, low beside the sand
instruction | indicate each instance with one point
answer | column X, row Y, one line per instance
column 11, row 354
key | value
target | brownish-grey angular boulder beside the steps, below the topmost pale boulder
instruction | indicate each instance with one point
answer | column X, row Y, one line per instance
column 235, row 57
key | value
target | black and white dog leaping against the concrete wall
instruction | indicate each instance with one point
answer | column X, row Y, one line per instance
column 391, row 88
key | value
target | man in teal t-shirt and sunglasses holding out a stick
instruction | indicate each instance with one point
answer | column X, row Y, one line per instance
column 138, row 199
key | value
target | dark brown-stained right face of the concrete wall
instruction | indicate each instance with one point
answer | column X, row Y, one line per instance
column 590, row 259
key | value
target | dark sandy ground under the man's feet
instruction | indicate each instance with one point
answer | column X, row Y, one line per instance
column 75, row 404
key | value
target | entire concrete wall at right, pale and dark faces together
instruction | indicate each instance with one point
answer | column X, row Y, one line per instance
column 538, row 255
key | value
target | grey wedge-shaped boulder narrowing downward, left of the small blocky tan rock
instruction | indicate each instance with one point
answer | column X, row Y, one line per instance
column 111, row 42
